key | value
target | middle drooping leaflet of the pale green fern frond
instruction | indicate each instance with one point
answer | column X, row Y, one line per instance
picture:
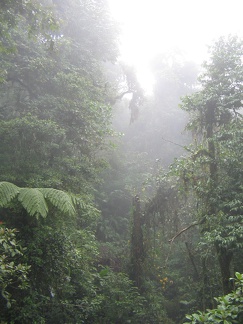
column 33, row 201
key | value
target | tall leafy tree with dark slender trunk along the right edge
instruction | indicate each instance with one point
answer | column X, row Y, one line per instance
column 215, row 121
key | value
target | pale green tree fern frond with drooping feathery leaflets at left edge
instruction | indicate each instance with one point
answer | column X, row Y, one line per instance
column 34, row 200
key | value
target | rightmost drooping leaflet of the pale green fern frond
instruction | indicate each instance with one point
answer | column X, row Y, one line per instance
column 60, row 199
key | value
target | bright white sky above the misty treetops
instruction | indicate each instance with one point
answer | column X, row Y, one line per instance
column 153, row 26
